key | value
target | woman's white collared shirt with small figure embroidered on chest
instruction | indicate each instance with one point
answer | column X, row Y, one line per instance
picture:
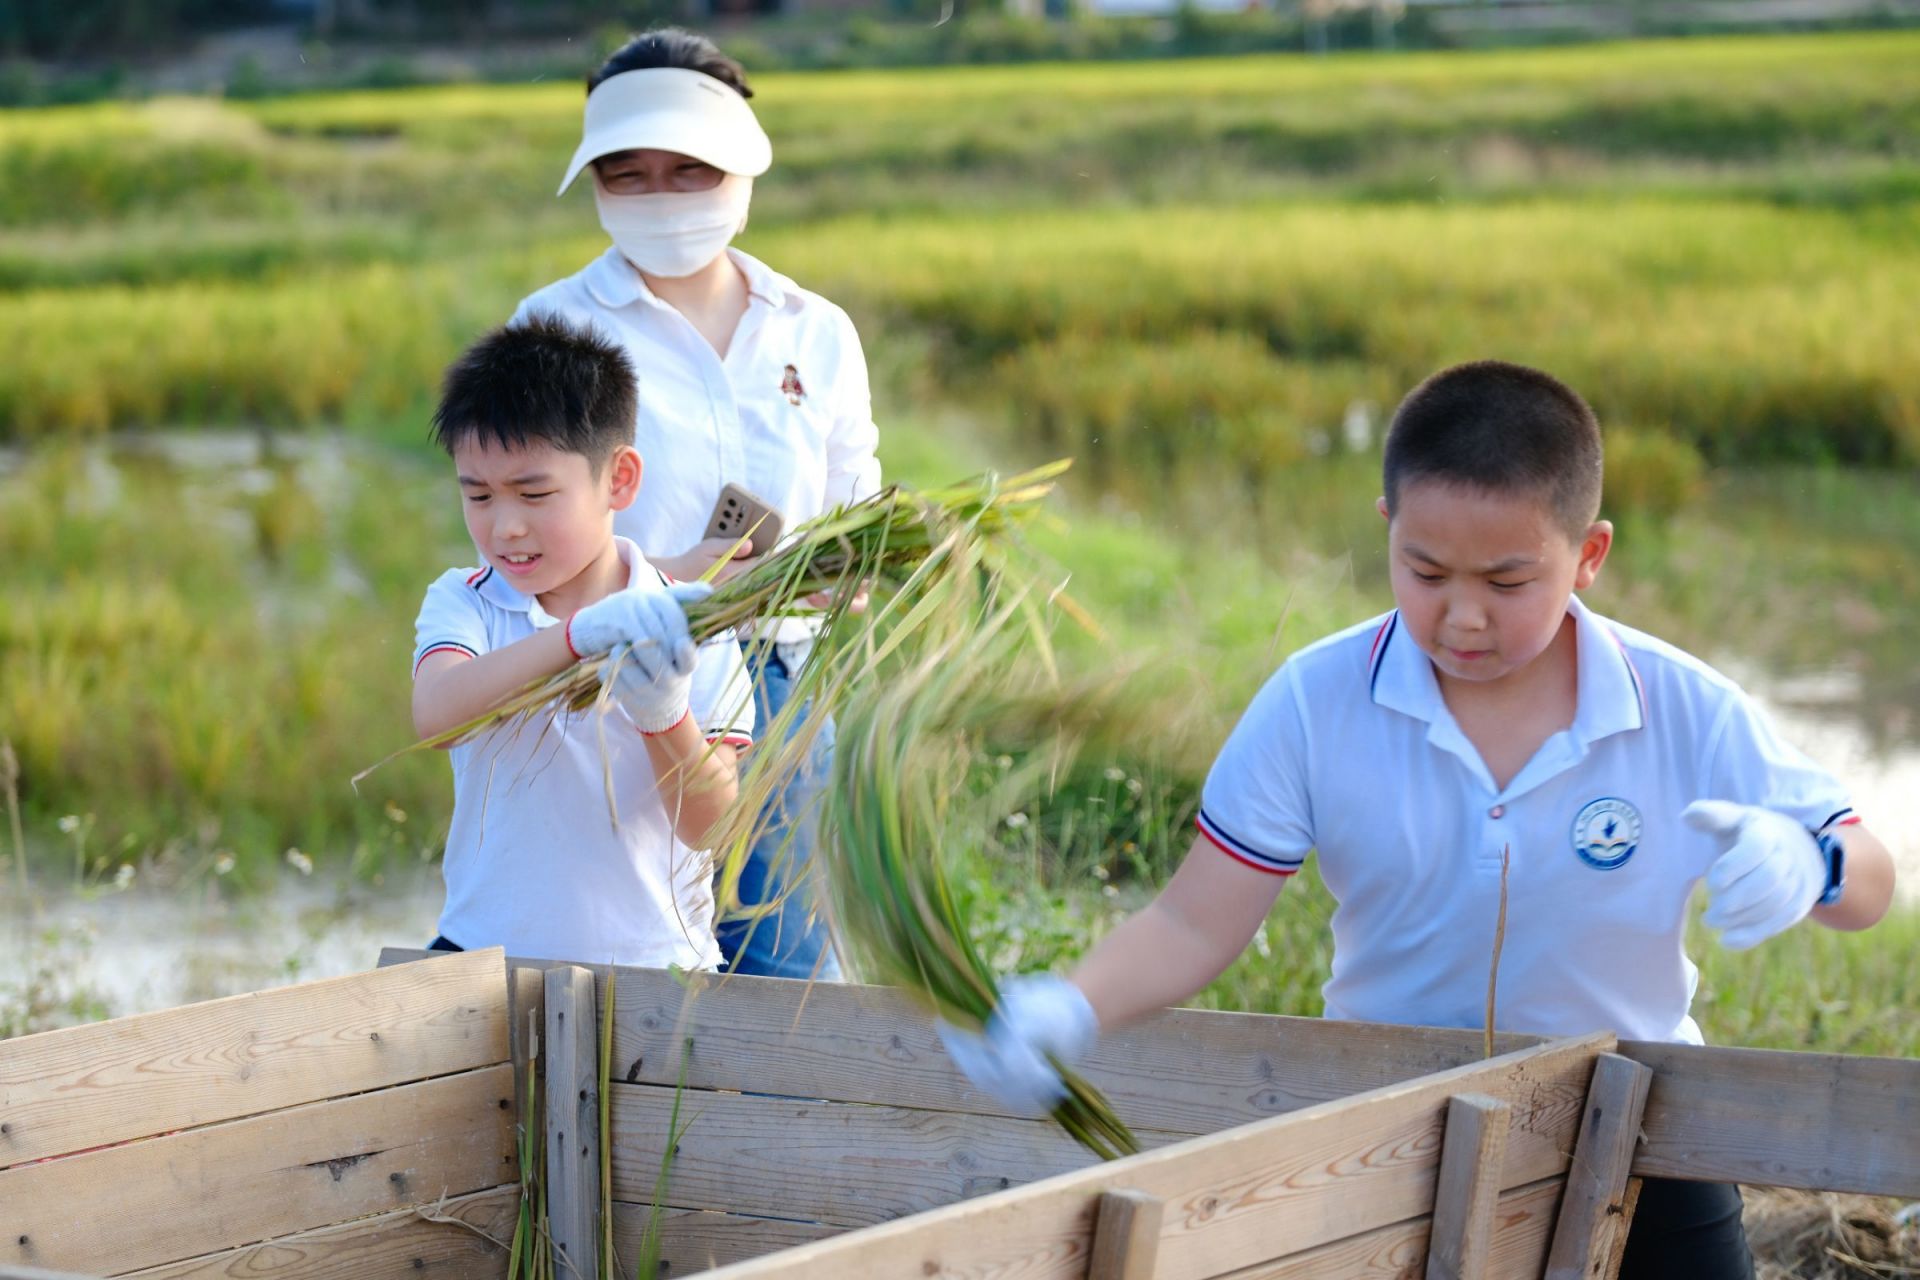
column 786, row 414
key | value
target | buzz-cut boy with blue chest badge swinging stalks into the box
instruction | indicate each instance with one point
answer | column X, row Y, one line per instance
column 1491, row 713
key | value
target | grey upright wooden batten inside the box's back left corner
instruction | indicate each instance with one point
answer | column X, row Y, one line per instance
column 573, row 1122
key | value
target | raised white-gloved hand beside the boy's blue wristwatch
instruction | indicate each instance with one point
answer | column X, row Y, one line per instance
column 1771, row 872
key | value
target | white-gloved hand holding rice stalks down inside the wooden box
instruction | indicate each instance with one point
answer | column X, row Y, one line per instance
column 1040, row 1016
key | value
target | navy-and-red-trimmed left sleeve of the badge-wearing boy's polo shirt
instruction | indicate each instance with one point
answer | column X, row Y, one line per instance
column 1255, row 805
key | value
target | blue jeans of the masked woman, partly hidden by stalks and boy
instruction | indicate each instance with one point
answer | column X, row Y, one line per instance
column 792, row 941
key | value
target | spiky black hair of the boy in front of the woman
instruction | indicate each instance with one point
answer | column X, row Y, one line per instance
column 540, row 381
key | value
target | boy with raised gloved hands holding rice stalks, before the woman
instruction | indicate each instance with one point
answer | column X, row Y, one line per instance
column 539, row 419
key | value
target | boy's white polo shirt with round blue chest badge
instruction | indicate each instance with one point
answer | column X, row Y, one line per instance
column 1351, row 749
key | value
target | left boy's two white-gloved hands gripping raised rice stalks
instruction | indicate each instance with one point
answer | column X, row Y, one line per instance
column 656, row 675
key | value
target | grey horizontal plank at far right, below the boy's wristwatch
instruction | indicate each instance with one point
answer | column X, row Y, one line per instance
column 1813, row 1122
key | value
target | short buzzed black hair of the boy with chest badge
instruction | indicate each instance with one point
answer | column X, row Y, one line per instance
column 1500, row 429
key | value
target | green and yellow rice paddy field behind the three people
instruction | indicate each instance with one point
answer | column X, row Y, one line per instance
column 1207, row 281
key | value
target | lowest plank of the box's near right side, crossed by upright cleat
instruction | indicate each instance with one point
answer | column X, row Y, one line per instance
column 1397, row 1252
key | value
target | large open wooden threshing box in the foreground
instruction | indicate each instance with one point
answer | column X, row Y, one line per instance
column 825, row 1133
